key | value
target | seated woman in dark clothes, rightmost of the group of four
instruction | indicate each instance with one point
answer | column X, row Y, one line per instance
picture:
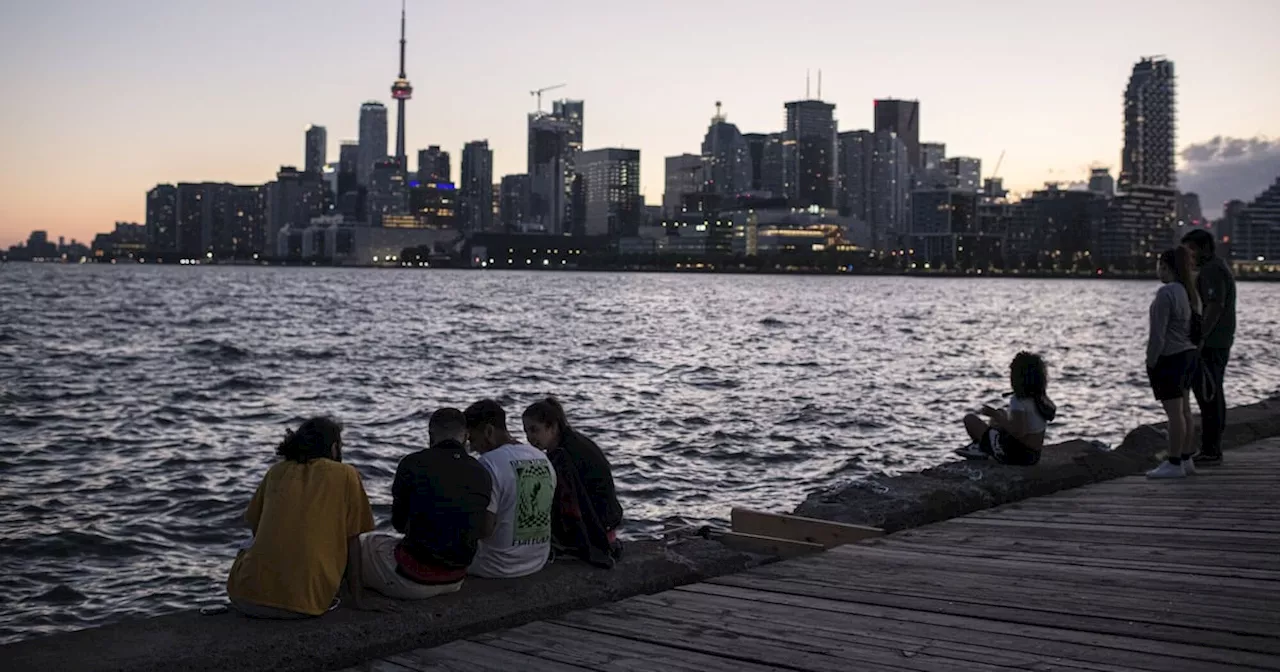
column 587, row 515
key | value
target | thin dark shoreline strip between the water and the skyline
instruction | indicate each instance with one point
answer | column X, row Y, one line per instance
column 706, row 269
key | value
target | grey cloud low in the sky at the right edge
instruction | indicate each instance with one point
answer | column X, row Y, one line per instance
column 1226, row 168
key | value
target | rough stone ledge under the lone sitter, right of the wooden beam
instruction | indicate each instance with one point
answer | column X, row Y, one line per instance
column 959, row 488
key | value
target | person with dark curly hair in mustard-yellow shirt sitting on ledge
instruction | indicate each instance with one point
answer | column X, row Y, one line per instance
column 307, row 518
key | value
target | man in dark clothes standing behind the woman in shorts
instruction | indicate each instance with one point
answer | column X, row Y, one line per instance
column 1217, row 289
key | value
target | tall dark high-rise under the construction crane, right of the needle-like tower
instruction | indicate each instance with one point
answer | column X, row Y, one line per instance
column 552, row 150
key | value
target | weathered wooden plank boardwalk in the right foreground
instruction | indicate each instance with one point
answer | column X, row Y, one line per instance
column 1124, row 575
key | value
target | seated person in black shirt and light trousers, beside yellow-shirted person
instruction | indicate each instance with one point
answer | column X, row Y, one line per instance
column 440, row 504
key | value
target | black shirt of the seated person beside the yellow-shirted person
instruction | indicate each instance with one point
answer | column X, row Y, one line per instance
column 440, row 500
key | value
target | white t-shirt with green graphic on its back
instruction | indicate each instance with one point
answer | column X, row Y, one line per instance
column 524, row 492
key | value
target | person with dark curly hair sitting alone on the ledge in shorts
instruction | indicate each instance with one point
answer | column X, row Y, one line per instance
column 1017, row 436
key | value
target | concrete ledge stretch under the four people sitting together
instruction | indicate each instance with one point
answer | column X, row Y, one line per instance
column 193, row 643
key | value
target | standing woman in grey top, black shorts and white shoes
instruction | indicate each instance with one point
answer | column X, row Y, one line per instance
column 1172, row 356
